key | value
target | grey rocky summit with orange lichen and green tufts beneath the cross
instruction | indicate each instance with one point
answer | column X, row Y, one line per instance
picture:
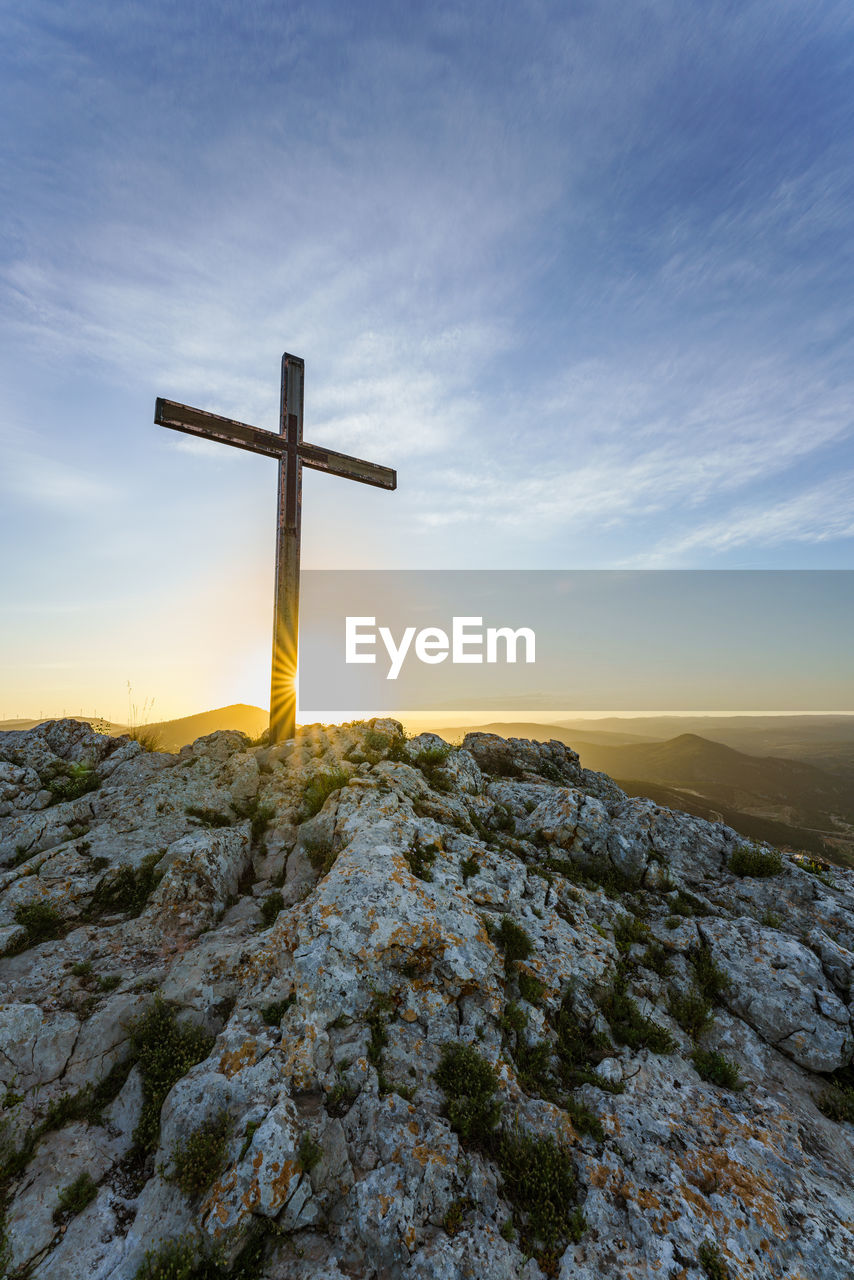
column 360, row 1005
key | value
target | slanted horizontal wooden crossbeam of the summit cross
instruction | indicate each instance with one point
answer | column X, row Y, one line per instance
column 254, row 440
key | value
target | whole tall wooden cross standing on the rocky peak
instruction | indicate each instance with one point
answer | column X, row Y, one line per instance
column 293, row 455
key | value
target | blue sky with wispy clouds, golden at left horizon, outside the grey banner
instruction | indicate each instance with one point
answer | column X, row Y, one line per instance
column 581, row 272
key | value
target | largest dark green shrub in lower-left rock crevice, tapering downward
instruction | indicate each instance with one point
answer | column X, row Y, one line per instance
column 165, row 1054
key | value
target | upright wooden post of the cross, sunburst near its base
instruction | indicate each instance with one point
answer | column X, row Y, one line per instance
column 286, row 609
